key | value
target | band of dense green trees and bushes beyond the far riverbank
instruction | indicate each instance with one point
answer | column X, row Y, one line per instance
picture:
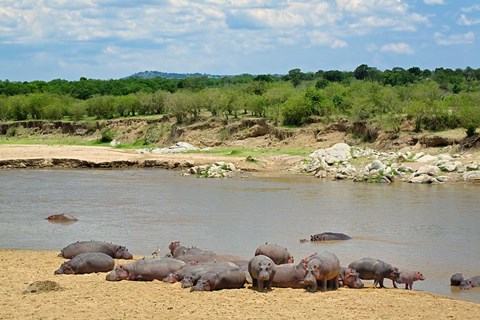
column 433, row 100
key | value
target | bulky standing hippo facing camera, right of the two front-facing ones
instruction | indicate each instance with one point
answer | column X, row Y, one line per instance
column 321, row 268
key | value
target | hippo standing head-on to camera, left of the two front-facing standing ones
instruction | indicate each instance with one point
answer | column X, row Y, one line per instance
column 262, row 269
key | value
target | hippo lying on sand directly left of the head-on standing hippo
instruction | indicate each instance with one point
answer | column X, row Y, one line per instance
column 224, row 279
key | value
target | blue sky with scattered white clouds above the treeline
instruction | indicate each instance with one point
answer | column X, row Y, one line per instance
column 108, row 39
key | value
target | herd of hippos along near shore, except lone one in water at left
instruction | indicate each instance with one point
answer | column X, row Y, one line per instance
column 271, row 266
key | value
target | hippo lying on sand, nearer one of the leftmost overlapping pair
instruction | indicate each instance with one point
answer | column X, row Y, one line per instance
column 88, row 262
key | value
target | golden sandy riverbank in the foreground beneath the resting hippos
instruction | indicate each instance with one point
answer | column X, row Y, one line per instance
column 92, row 297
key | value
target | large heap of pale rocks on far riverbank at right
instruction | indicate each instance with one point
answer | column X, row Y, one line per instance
column 342, row 162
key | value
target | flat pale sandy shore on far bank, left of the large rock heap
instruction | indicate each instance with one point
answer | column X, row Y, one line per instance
column 46, row 156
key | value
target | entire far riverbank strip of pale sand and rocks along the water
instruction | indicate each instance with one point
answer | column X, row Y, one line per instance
column 337, row 162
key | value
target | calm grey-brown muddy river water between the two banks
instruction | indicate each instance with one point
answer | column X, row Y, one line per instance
column 434, row 229
